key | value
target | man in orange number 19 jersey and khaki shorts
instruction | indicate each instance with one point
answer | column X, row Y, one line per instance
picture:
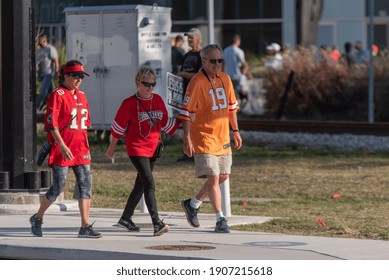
column 210, row 96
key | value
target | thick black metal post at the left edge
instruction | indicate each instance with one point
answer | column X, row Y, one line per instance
column 18, row 125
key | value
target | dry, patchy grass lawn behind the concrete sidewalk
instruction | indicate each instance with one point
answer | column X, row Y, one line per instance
column 300, row 183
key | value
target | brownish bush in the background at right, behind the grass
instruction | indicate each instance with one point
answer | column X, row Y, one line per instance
column 326, row 90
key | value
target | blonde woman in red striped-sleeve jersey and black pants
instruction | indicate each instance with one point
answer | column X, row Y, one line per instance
column 141, row 117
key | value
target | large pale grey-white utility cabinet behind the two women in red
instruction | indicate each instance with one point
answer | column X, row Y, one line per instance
column 112, row 42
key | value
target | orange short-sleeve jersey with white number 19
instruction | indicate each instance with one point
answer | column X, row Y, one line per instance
column 211, row 101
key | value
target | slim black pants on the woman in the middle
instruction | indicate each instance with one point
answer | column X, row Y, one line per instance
column 144, row 183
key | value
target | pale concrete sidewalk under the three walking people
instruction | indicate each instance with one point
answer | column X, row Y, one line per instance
column 60, row 240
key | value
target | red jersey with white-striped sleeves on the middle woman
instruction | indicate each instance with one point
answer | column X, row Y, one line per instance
column 133, row 120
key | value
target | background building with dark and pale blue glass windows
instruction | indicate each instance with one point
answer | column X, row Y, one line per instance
column 259, row 22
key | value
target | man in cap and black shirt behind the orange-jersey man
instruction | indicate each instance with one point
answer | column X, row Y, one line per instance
column 191, row 64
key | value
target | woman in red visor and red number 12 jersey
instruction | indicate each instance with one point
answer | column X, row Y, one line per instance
column 67, row 120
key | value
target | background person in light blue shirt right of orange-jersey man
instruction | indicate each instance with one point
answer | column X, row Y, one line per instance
column 234, row 59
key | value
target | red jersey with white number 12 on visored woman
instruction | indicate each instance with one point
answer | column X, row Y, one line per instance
column 70, row 113
